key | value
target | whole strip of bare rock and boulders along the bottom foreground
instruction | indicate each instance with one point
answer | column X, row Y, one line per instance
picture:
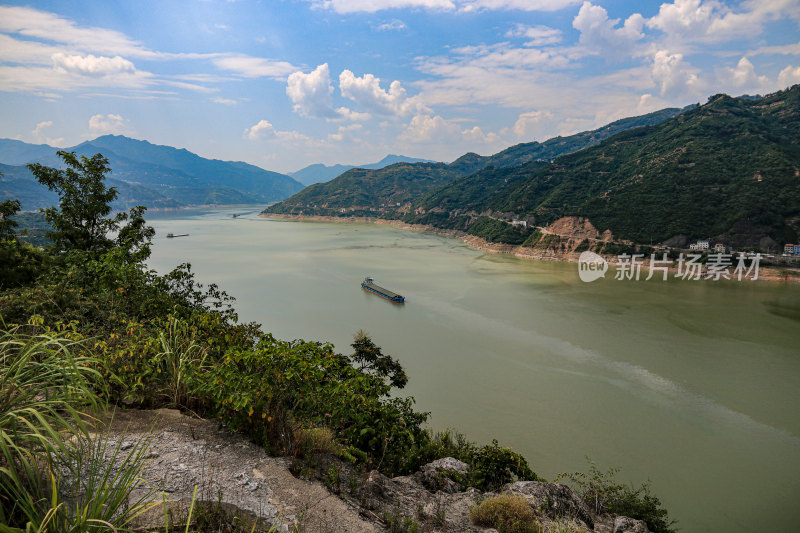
column 235, row 475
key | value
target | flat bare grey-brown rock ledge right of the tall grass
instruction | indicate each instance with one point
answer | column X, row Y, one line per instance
column 186, row 452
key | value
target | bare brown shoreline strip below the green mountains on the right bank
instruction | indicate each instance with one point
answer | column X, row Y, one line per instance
column 564, row 253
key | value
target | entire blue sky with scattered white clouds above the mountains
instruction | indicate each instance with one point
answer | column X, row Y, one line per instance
column 282, row 84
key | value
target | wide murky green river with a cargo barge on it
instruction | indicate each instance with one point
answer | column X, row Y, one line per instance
column 694, row 385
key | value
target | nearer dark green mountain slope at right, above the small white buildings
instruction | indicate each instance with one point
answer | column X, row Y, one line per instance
column 729, row 170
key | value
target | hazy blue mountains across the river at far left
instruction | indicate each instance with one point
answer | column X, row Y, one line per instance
column 144, row 173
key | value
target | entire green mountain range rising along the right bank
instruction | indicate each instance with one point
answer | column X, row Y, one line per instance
column 728, row 170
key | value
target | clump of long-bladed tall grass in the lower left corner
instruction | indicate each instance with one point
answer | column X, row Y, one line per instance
column 55, row 475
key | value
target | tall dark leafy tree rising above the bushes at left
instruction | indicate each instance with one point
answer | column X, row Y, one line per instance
column 80, row 221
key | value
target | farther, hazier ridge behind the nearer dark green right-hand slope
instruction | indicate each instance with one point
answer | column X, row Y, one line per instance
column 370, row 192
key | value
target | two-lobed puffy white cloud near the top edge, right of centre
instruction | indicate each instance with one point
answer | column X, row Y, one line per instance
column 601, row 34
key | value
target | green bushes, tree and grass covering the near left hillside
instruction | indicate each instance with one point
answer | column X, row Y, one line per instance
column 86, row 325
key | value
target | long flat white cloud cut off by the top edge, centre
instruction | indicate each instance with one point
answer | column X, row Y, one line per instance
column 372, row 6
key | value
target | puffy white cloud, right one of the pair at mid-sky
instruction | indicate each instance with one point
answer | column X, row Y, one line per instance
column 367, row 92
